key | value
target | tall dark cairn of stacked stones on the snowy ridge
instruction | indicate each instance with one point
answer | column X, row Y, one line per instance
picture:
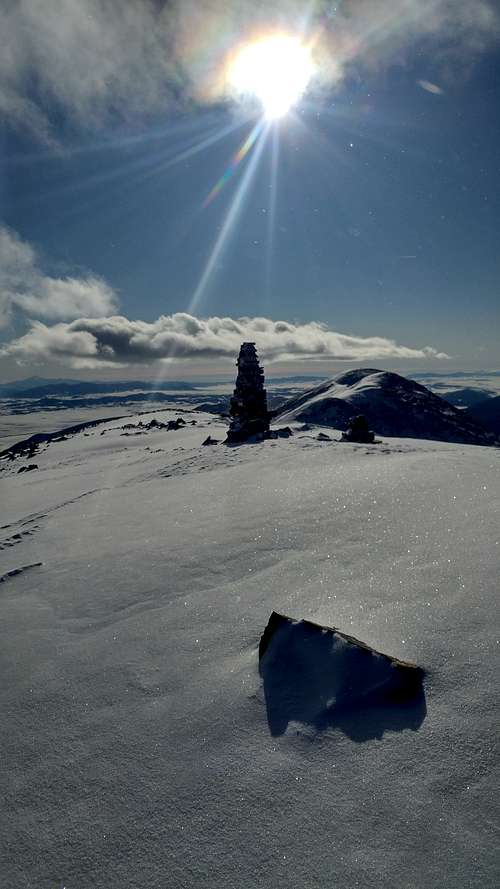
column 248, row 409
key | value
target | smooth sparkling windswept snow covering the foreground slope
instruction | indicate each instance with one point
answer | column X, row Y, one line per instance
column 136, row 748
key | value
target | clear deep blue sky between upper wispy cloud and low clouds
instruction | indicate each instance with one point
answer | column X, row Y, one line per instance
column 387, row 212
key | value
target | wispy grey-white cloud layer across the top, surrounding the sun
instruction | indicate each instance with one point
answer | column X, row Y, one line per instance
column 96, row 59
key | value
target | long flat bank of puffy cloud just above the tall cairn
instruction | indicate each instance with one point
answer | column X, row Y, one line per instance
column 117, row 341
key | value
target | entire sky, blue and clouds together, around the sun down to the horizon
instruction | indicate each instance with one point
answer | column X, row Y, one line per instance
column 372, row 208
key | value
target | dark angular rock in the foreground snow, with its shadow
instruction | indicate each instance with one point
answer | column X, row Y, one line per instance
column 320, row 676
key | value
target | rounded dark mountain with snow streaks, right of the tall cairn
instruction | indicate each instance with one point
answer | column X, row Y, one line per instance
column 392, row 404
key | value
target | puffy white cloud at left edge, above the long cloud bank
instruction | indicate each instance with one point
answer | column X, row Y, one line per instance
column 25, row 287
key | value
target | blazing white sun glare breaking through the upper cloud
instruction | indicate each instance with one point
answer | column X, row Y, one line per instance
column 275, row 69
